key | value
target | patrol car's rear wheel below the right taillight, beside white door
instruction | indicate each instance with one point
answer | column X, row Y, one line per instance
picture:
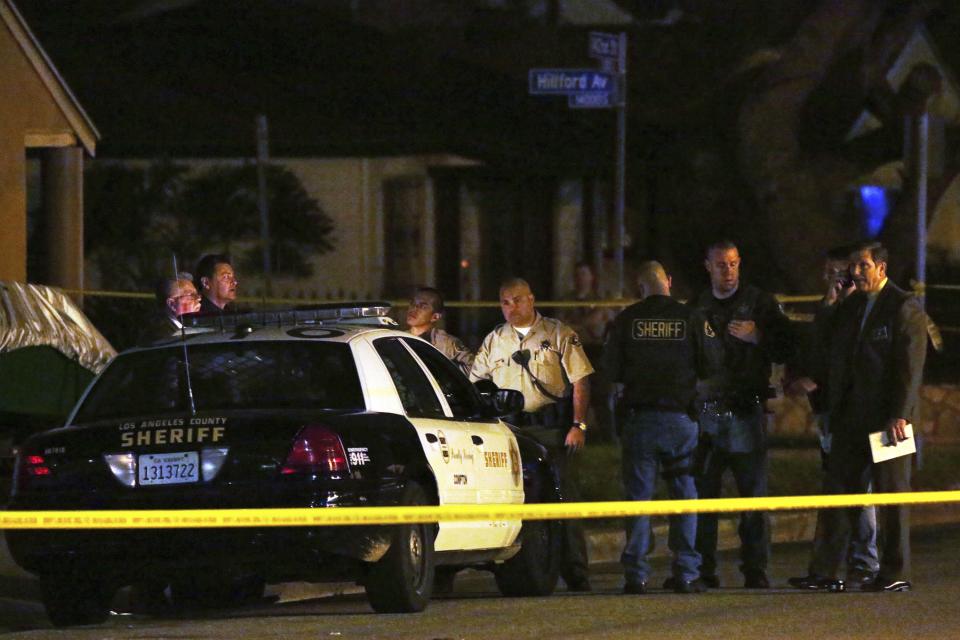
column 402, row 580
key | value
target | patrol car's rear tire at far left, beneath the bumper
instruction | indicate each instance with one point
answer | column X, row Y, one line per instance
column 72, row 600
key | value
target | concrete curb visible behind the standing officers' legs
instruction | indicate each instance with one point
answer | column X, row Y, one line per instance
column 606, row 546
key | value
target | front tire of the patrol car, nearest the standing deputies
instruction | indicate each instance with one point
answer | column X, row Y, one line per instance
column 535, row 569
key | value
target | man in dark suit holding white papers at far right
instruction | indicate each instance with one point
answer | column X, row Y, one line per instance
column 876, row 341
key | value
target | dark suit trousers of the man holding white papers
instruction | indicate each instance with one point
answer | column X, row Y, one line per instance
column 850, row 470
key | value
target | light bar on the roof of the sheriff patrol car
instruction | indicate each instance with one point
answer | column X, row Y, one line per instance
column 366, row 312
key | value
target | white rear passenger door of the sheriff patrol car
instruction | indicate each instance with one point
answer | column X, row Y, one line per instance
column 445, row 443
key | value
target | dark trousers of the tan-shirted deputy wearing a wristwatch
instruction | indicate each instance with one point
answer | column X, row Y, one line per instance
column 549, row 427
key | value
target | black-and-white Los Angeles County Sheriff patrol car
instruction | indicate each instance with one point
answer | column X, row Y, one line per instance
column 319, row 408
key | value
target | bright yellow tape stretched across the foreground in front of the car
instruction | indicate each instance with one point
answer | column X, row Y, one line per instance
column 340, row 516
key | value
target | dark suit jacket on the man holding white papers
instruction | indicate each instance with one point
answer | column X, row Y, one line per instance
column 874, row 375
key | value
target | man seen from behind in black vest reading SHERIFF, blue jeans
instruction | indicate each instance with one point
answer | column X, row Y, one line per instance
column 653, row 350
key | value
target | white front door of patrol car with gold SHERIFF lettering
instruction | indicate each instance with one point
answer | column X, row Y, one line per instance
column 493, row 447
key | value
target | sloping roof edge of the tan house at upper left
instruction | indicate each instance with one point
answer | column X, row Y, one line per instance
column 82, row 126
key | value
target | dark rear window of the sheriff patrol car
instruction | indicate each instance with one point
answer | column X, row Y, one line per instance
column 227, row 376
